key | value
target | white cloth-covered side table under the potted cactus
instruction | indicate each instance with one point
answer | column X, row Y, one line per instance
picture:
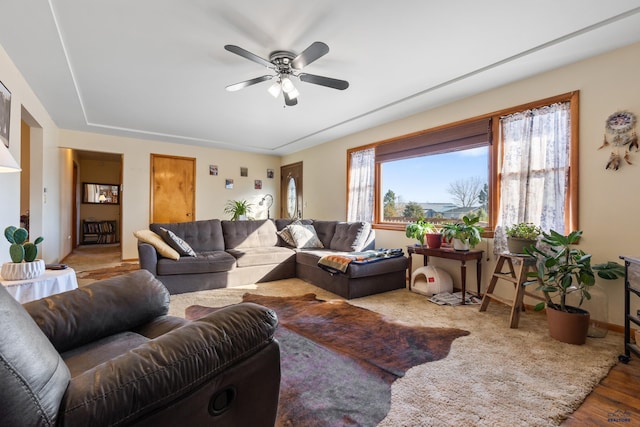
column 49, row 283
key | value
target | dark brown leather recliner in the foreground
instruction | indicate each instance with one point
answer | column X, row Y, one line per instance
column 107, row 354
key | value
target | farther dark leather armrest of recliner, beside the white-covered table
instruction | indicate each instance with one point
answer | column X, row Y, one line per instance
column 100, row 309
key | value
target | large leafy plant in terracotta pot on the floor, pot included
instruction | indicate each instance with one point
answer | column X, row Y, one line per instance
column 563, row 269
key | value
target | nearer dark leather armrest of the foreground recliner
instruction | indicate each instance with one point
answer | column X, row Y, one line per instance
column 175, row 364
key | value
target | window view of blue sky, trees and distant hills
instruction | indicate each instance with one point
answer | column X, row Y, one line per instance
column 438, row 187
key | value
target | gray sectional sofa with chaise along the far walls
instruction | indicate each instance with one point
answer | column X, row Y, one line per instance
column 233, row 253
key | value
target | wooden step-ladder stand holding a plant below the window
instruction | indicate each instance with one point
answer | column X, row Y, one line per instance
column 518, row 267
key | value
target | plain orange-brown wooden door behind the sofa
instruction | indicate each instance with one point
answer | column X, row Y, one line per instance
column 173, row 188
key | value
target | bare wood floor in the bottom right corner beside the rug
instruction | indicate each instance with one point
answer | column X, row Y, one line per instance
column 614, row 402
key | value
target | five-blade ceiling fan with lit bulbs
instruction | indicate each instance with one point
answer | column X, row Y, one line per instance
column 286, row 65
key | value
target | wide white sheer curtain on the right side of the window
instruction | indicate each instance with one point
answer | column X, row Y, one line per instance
column 535, row 168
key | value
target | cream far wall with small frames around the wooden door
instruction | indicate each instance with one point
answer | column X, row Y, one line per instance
column 211, row 194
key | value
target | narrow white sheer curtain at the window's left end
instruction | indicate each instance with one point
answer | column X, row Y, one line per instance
column 361, row 185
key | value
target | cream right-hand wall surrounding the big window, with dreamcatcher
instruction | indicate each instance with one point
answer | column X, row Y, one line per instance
column 608, row 199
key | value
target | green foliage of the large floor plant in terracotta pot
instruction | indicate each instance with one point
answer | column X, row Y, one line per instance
column 563, row 269
